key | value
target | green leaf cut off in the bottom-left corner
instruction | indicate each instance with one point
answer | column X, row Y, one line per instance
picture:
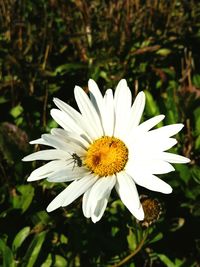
column 7, row 255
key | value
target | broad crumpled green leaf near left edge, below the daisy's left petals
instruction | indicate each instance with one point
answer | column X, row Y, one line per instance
column 23, row 198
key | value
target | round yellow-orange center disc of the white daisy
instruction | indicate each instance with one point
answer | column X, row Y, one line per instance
column 106, row 156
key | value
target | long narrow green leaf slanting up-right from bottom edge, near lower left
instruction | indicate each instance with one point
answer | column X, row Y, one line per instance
column 34, row 249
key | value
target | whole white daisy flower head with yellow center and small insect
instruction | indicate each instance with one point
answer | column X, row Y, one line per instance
column 104, row 146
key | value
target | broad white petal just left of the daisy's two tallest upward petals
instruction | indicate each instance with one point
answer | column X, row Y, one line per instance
column 88, row 111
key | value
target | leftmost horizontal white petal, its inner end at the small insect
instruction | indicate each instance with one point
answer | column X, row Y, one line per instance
column 48, row 154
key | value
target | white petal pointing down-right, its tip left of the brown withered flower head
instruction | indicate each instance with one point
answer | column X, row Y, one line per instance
column 128, row 193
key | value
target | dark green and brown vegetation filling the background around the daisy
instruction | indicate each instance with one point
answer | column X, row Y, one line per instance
column 46, row 48
